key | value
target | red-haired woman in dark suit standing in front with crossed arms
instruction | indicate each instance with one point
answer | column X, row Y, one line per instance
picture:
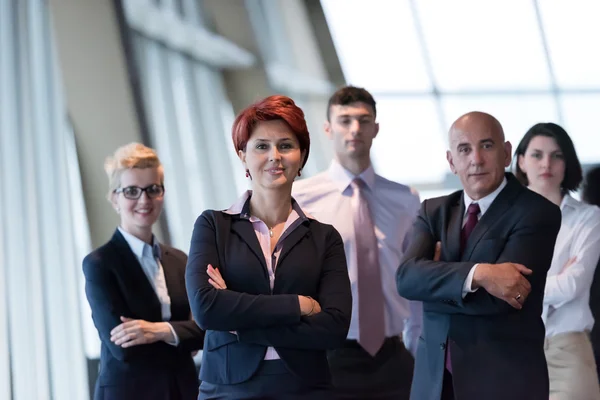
column 267, row 281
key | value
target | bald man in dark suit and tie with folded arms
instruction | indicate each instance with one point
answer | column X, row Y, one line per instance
column 482, row 289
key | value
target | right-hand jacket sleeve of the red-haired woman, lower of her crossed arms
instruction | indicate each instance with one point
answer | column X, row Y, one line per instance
column 327, row 329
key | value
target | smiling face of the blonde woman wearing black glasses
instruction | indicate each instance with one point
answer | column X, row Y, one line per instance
column 138, row 215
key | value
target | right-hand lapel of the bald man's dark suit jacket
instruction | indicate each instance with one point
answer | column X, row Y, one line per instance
column 499, row 206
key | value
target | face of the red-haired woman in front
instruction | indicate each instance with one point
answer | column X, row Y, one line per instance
column 272, row 155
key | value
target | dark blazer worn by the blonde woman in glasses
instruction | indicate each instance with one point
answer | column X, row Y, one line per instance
column 116, row 285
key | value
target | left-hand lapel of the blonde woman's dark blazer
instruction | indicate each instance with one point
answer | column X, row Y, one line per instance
column 133, row 269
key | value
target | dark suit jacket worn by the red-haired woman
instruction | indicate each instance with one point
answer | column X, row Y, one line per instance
column 311, row 263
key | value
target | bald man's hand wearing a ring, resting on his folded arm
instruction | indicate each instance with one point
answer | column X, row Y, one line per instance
column 505, row 281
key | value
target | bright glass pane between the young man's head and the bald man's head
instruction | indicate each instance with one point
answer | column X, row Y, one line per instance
column 410, row 147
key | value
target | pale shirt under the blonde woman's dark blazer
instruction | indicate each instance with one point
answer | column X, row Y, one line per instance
column 155, row 273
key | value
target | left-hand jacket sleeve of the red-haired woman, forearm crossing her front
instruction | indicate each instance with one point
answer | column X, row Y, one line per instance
column 226, row 310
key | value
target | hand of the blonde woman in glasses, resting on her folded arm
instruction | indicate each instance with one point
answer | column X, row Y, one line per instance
column 133, row 332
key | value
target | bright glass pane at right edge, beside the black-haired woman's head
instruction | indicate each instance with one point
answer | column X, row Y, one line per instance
column 581, row 122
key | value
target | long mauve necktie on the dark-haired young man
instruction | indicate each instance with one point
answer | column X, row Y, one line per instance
column 370, row 292
